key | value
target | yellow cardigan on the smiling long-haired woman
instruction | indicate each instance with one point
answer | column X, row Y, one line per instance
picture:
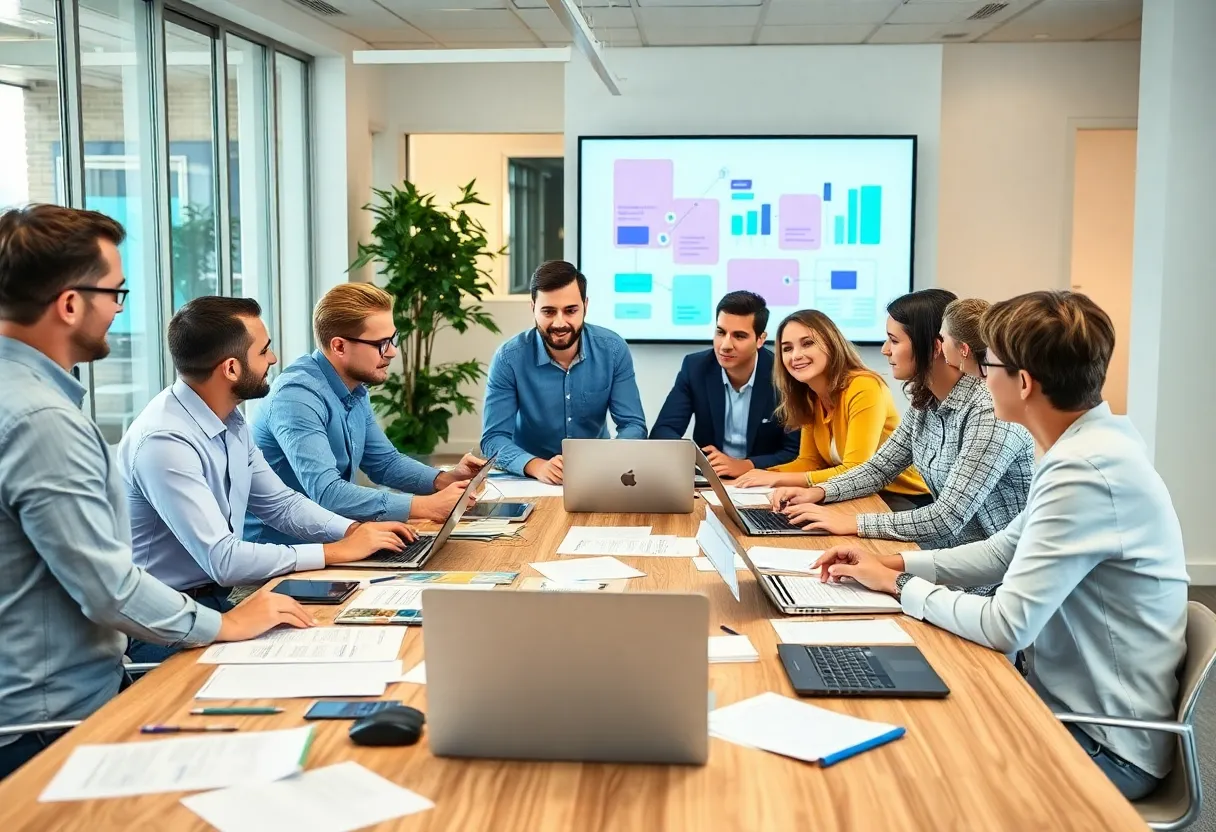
column 864, row 420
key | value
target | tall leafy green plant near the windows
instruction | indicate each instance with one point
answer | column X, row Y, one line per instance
column 432, row 261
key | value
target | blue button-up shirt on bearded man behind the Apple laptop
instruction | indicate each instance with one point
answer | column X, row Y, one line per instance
column 532, row 403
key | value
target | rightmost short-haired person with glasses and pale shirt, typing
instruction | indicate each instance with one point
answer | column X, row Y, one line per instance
column 1093, row 572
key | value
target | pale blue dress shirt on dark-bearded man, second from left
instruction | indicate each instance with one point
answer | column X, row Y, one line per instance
column 190, row 480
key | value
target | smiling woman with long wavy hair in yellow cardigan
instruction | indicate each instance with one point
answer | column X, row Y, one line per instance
column 845, row 409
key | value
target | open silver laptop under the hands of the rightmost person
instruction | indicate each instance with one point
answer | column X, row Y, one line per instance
column 793, row 595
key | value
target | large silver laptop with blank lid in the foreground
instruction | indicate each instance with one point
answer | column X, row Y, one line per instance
column 590, row 677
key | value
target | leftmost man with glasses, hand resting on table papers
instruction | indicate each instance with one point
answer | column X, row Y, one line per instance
column 70, row 594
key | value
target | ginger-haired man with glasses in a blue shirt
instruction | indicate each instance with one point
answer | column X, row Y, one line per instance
column 318, row 430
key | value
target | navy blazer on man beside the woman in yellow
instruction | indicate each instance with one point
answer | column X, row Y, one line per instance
column 699, row 395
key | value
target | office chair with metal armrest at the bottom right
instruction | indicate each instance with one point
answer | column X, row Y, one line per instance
column 1180, row 799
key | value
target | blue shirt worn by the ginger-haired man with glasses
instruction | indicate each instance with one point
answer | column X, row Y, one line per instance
column 317, row 435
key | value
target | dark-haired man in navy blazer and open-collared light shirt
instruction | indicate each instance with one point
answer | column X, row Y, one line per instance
column 729, row 392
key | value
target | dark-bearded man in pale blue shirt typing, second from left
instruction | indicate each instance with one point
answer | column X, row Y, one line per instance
column 193, row 471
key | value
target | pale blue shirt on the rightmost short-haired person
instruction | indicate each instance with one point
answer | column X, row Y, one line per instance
column 1093, row 575
